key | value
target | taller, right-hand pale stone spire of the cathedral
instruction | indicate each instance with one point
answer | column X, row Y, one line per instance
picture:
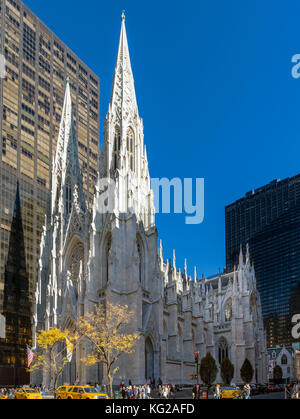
column 124, row 158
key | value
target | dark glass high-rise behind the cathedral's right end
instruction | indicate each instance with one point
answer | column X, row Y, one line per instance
column 269, row 220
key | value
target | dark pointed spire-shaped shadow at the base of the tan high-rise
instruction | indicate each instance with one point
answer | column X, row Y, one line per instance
column 16, row 307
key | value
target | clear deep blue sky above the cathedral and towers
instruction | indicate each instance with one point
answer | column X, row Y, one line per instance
column 214, row 87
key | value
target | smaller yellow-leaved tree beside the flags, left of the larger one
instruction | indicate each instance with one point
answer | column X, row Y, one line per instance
column 55, row 350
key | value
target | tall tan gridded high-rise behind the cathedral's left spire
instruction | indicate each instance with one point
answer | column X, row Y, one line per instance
column 31, row 99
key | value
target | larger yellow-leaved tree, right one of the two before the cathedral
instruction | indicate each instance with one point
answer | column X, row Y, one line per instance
column 105, row 330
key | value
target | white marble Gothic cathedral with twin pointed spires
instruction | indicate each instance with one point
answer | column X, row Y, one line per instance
column 87, row 258
